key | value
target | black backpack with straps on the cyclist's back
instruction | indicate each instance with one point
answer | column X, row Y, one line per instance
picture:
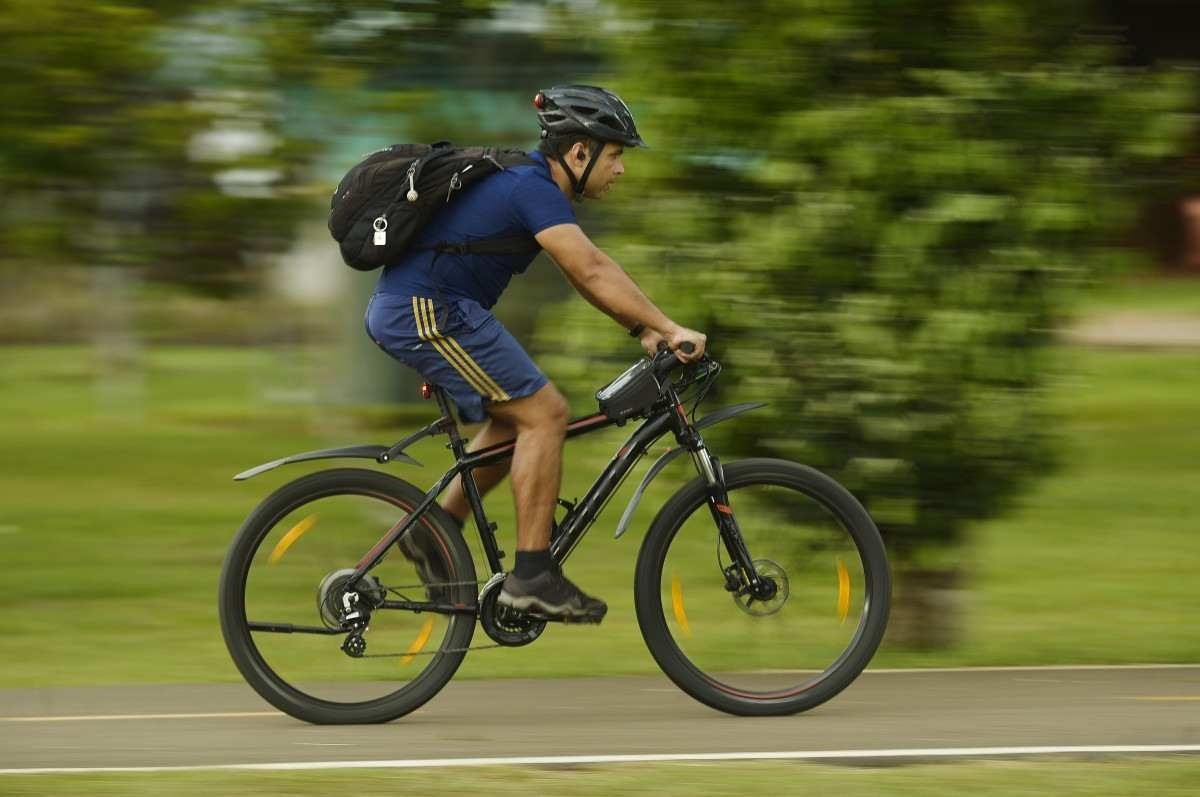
column 382, row 205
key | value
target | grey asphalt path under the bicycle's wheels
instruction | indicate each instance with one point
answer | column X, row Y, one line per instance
column 206, row 726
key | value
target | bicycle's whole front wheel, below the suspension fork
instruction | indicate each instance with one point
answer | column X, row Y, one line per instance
column 778, row 654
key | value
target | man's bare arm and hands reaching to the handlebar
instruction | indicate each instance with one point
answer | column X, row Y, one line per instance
column 604, row 284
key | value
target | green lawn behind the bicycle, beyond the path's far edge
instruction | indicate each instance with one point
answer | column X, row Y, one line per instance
column 117, row 505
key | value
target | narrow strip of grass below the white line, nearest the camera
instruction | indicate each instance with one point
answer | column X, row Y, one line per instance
column 1064, row 778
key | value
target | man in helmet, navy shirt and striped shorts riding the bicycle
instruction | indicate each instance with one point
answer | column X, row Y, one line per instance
column 433, row 314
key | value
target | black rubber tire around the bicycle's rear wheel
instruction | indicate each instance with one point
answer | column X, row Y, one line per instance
column 239, row 639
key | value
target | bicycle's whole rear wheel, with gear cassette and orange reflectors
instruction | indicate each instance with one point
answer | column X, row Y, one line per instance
column 281, row 596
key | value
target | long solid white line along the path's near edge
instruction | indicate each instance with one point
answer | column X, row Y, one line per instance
column 667, row 758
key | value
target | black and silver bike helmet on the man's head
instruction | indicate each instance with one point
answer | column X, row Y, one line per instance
column 586, row 111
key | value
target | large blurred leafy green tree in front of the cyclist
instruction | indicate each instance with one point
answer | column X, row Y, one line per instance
column 878, row 211
